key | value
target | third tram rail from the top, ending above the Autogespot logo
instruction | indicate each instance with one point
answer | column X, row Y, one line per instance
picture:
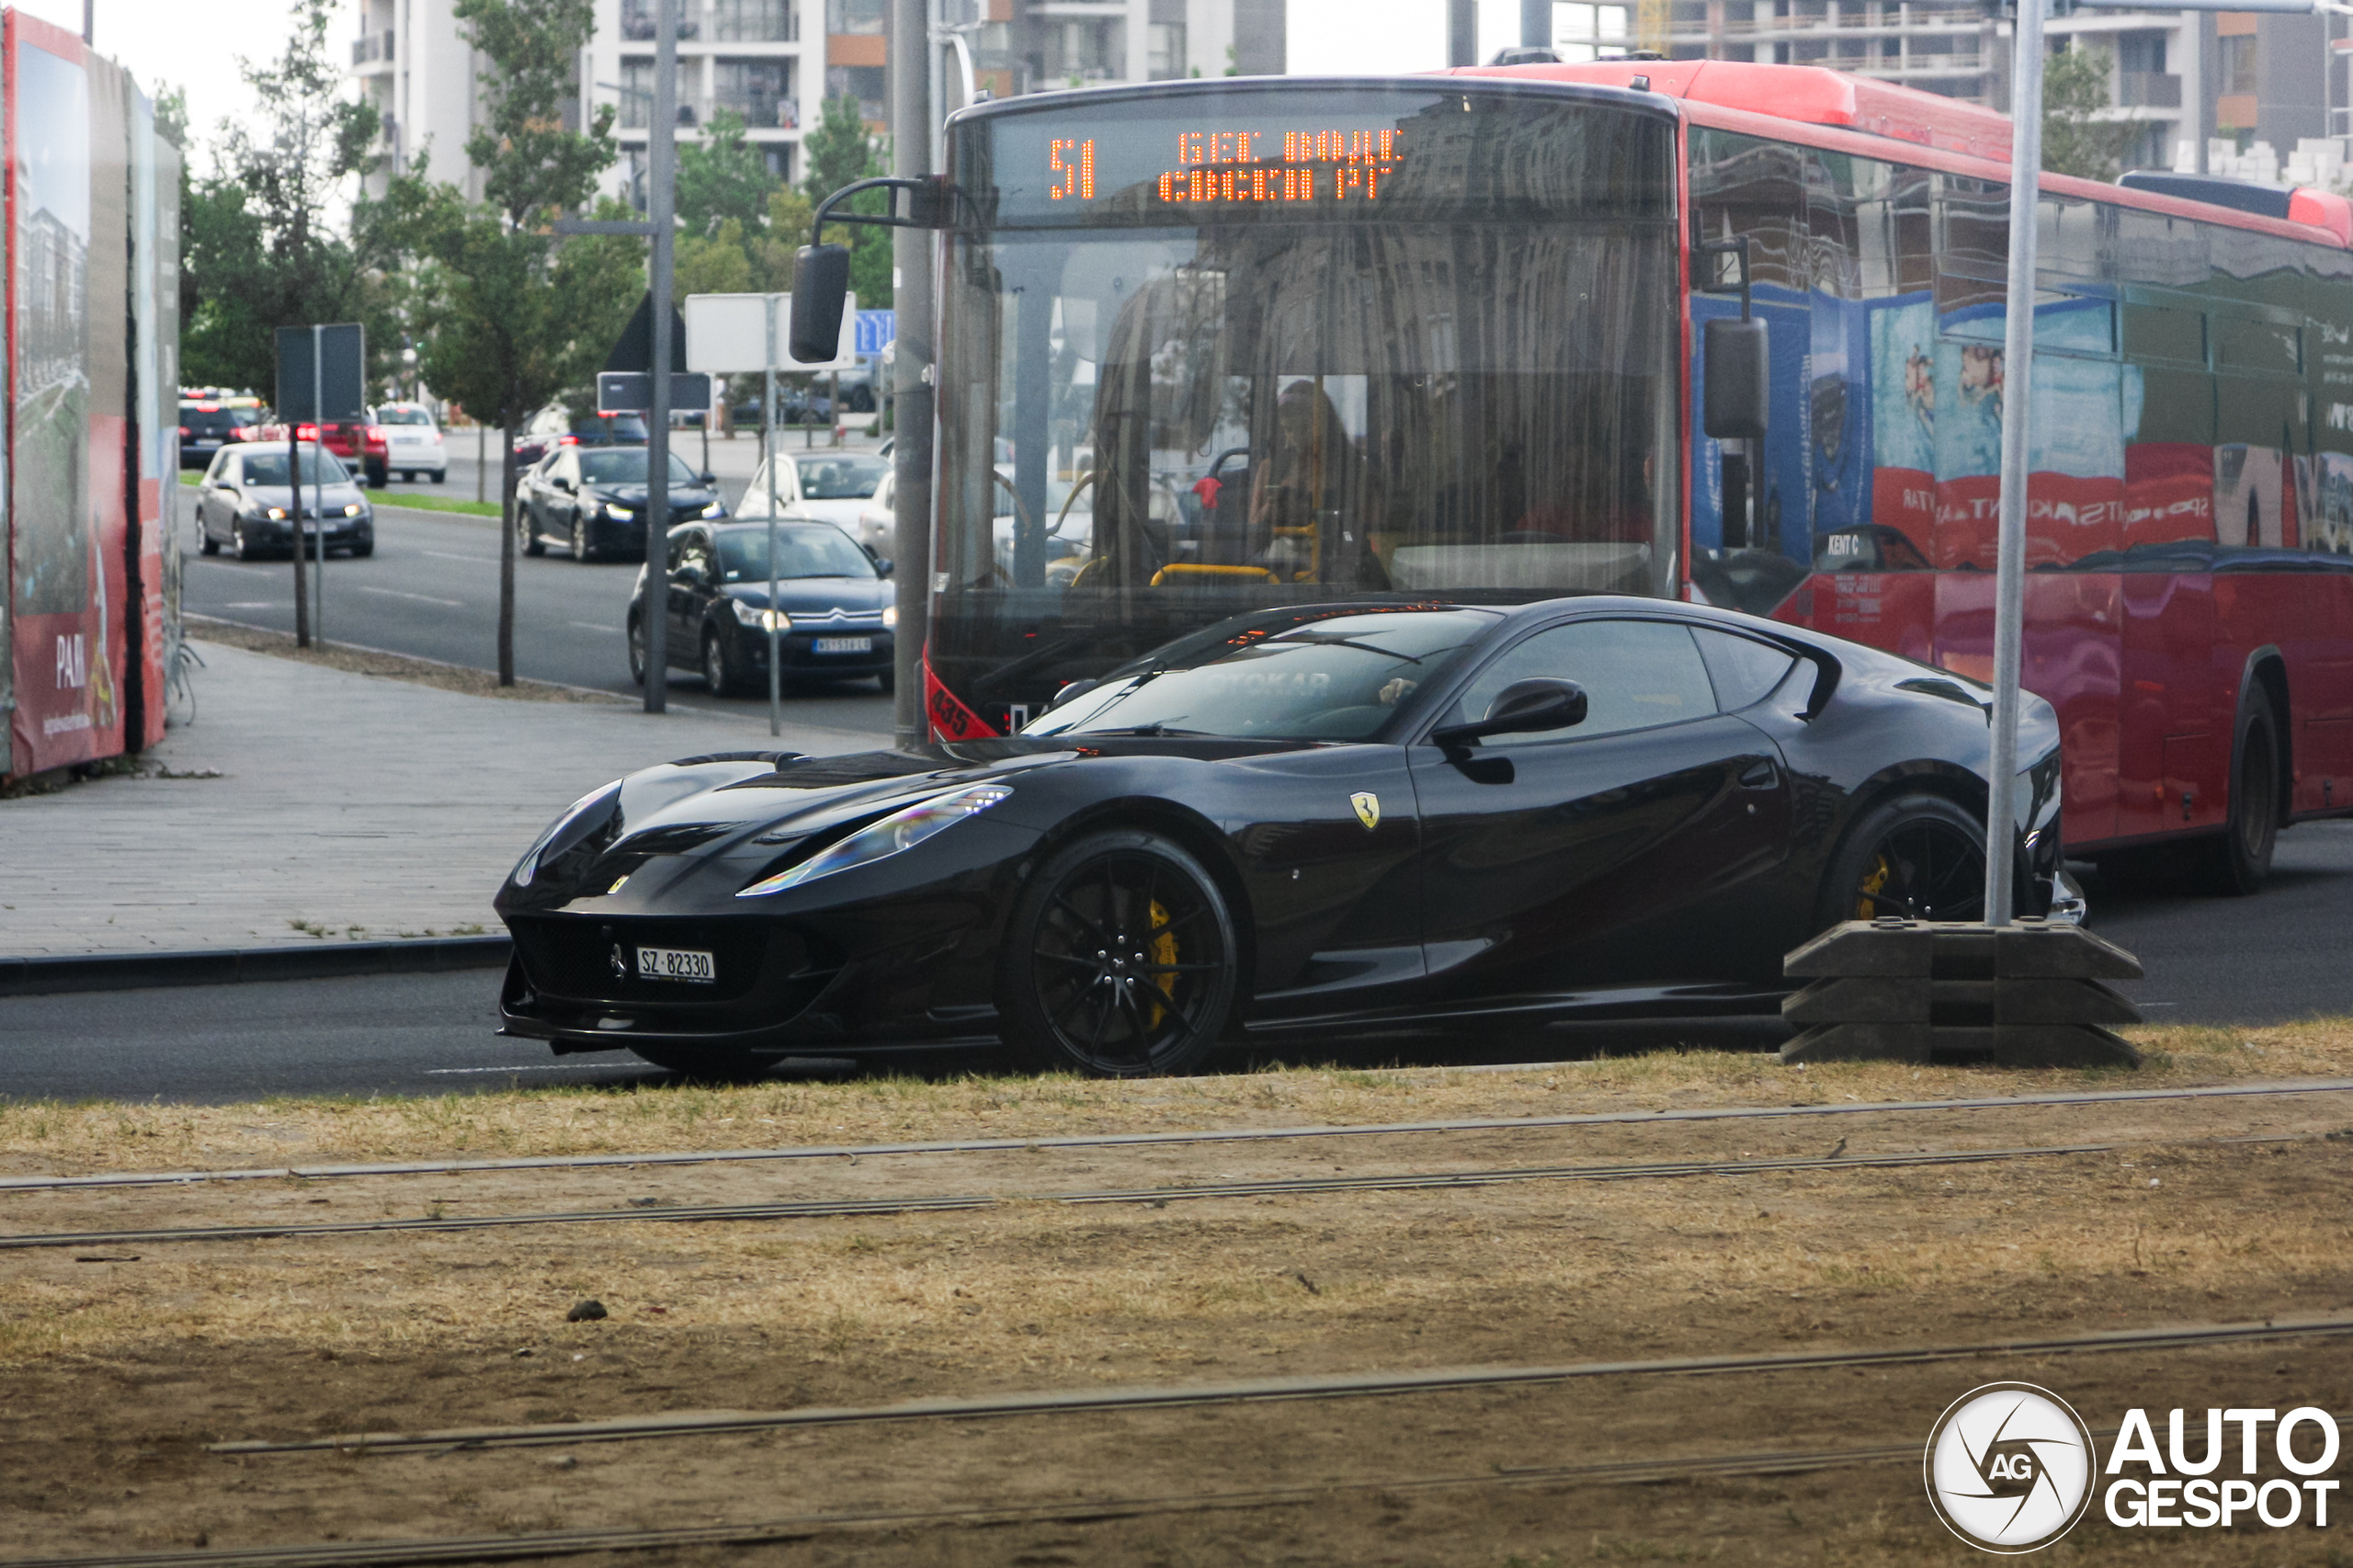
column 1277, row 1390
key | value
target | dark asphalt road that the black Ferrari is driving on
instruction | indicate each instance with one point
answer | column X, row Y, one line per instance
column 2211, row 962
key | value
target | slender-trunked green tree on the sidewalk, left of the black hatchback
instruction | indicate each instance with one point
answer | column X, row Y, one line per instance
column 509, row 317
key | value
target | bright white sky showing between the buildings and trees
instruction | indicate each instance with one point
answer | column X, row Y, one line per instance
column 196, row 44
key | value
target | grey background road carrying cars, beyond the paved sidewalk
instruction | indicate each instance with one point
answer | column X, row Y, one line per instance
column 432, row 590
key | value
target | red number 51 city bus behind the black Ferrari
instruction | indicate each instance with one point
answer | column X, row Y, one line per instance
column 1220, row 347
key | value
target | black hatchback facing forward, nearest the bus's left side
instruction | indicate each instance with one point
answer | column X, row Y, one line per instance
column 834, row 606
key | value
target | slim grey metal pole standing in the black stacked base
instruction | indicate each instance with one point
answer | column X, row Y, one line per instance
column 2018, row 437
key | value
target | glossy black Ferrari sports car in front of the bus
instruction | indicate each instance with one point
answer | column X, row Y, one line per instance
column 1312, row 820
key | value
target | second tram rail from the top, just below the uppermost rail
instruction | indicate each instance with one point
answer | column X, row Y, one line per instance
column 1159, row 1197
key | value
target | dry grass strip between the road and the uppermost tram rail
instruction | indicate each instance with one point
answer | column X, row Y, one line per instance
column 109, row 1136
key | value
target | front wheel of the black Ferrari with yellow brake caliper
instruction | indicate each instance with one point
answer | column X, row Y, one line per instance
column 1100, row 922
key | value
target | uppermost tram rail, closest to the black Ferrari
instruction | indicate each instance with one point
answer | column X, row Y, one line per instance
column 1140, row 1141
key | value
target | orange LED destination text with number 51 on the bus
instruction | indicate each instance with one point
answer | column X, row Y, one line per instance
column 1248, row 166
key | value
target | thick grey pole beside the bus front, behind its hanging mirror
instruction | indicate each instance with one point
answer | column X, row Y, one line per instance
column 912, row 456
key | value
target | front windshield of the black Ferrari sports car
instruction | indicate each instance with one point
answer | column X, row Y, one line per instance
column 1338, row 677
